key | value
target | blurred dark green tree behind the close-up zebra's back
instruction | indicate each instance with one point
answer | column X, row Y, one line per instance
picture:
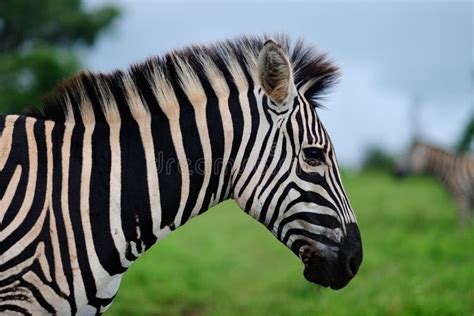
column 38, row 40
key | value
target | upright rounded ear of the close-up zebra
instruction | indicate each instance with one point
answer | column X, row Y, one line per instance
column 275, row 72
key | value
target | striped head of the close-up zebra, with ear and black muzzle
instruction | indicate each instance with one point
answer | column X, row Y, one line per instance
column 295, row 187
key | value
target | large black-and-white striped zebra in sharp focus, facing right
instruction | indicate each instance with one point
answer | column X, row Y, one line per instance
column 112, row 163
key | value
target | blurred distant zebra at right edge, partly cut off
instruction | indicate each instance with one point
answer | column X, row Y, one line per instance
column 455, row 171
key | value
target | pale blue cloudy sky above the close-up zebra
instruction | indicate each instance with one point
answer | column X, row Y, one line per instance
column 407, row 66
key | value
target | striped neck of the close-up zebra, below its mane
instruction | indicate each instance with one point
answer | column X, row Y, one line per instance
column 142, row 178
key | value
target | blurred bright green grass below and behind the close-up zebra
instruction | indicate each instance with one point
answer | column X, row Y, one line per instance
column 417, row 261
